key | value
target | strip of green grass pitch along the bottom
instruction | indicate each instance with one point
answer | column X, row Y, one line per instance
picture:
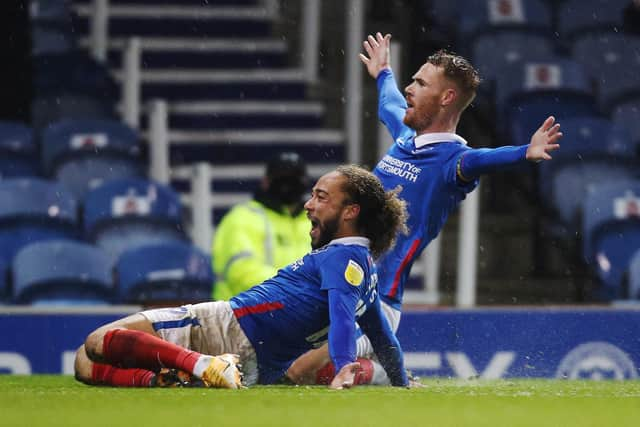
column 41, row 400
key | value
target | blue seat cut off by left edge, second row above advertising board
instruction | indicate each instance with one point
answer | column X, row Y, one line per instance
column 33, row 210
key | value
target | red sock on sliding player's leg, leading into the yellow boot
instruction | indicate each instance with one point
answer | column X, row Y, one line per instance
column 135, row 349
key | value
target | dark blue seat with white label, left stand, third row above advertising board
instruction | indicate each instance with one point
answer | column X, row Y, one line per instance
column 82, row 154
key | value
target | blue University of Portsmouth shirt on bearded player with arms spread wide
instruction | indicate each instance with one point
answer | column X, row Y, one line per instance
column 425, row 169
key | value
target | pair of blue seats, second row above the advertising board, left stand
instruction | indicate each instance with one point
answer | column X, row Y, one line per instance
column 115, row 216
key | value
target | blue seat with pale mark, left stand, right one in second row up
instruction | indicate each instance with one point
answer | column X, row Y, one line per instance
column 128, row 213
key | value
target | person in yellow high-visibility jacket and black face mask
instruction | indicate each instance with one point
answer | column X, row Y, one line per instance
column 256, row 238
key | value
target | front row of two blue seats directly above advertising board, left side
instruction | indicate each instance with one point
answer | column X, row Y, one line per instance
column 67, row 272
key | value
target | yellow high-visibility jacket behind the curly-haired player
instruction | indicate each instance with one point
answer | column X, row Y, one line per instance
column 252, row 242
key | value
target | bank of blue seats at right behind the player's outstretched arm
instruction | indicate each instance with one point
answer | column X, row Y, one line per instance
column 576, row 60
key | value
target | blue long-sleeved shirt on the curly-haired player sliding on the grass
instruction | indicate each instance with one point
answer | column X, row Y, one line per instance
column 317, row 299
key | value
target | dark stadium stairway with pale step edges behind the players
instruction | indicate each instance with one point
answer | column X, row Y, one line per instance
column 234, row 99
